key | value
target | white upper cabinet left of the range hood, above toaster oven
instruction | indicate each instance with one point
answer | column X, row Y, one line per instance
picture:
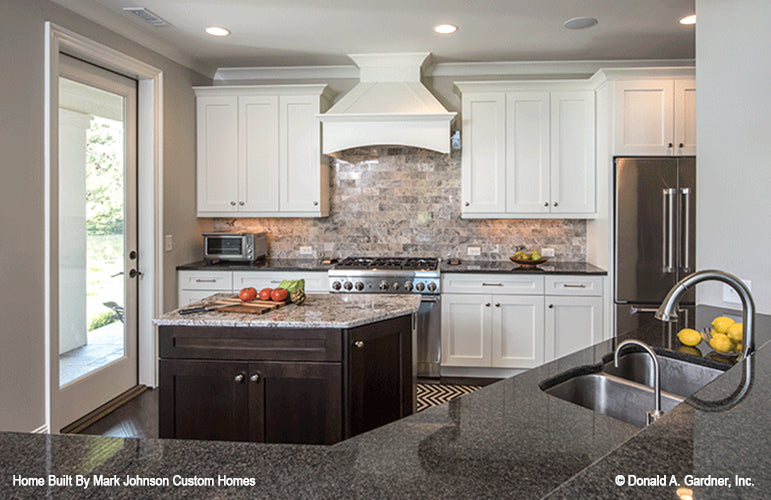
column 259, row 151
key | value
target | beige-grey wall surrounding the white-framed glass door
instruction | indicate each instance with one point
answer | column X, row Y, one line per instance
column 21, row 191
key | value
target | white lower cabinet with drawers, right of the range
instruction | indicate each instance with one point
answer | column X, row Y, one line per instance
column 518, row 330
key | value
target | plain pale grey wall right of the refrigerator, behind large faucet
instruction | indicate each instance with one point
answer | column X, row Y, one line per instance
column 733, row 109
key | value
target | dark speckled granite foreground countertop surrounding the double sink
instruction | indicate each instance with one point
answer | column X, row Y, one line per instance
column 508, row 440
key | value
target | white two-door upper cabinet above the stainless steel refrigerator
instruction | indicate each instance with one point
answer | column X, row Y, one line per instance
column 655, row 117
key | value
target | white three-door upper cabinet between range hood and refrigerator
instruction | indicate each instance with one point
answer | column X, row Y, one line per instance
column 528, row 152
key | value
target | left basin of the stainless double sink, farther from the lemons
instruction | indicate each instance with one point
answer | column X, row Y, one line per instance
column 612, row 396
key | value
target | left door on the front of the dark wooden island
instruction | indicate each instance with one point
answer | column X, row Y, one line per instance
column 203, row 400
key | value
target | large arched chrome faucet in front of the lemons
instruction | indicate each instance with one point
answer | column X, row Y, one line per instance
column 668, row 309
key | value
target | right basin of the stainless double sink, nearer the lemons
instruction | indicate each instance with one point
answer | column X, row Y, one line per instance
column 677, row 377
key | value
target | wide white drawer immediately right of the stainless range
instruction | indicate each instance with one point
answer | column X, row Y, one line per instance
column 492, row 284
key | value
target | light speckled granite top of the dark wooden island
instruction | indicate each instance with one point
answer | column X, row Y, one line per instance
column 318, row 311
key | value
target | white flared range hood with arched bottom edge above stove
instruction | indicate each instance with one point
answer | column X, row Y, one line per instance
column 389, row 105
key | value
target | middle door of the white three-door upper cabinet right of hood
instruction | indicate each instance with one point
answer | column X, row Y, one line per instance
column 527, row 152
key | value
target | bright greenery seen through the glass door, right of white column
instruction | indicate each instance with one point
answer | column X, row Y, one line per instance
column 104, row 221
